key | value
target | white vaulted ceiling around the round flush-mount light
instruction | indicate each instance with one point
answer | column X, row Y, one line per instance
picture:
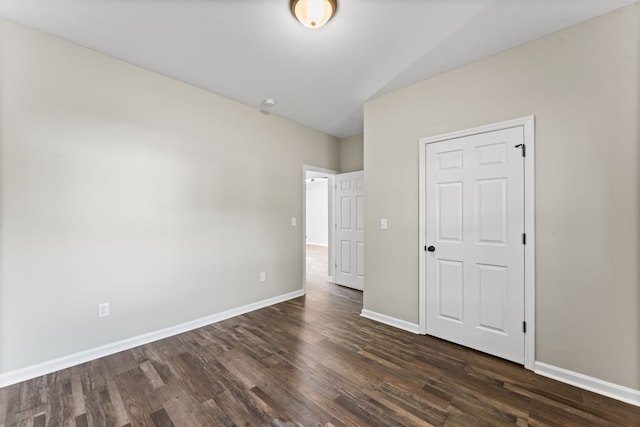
column 248, row 50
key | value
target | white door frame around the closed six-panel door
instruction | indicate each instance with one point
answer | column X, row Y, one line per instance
column 528, row 125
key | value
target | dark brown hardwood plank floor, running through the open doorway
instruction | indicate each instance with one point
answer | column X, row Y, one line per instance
column 312, row 361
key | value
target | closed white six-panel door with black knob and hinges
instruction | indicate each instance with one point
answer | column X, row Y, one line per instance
column 474, row 242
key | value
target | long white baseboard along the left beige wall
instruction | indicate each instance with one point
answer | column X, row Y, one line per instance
column 44, row 368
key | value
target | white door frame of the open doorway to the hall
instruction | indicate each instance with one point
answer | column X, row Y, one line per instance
column 331, row 185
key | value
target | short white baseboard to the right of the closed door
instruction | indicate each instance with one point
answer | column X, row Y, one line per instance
column 615, row 391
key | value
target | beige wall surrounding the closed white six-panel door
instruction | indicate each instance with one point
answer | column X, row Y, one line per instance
column 583, row 86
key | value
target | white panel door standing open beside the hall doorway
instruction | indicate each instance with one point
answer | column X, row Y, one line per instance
column 350, row 229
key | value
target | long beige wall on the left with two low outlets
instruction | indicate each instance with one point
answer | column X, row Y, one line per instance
column 124, row 186
